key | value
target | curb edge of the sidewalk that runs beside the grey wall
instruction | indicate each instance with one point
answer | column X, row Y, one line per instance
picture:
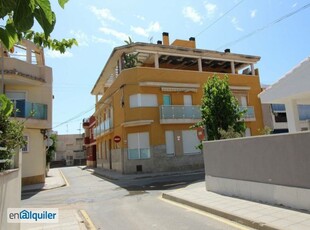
column 238, row 219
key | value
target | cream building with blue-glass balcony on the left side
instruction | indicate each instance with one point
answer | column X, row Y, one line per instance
column 27, row 81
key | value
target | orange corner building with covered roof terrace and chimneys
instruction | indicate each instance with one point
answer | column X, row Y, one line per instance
column 144, row 111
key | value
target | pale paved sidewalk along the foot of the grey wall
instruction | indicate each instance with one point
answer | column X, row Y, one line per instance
column 252, row 214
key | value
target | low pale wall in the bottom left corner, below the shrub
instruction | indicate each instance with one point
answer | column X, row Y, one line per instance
column 10, row 192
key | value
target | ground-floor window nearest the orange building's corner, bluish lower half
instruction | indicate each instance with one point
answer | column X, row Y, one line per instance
column 138, row 146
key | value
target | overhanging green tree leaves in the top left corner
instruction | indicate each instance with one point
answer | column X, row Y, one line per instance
column 17, row 20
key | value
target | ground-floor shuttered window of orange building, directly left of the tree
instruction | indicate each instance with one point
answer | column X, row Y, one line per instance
column 190, row 142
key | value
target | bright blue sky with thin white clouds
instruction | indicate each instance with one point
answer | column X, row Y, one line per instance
column 99, row 26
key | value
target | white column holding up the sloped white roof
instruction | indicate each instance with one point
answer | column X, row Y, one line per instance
column 292, row 116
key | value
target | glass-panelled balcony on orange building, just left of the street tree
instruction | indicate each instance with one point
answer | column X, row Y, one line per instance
column 178, row 114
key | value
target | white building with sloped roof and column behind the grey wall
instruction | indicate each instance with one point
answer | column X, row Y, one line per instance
column 292, row 91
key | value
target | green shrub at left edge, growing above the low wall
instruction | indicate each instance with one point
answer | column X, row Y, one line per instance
column 11, row 133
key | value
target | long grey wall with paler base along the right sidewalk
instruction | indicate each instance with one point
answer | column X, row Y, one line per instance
column 273, row 168
